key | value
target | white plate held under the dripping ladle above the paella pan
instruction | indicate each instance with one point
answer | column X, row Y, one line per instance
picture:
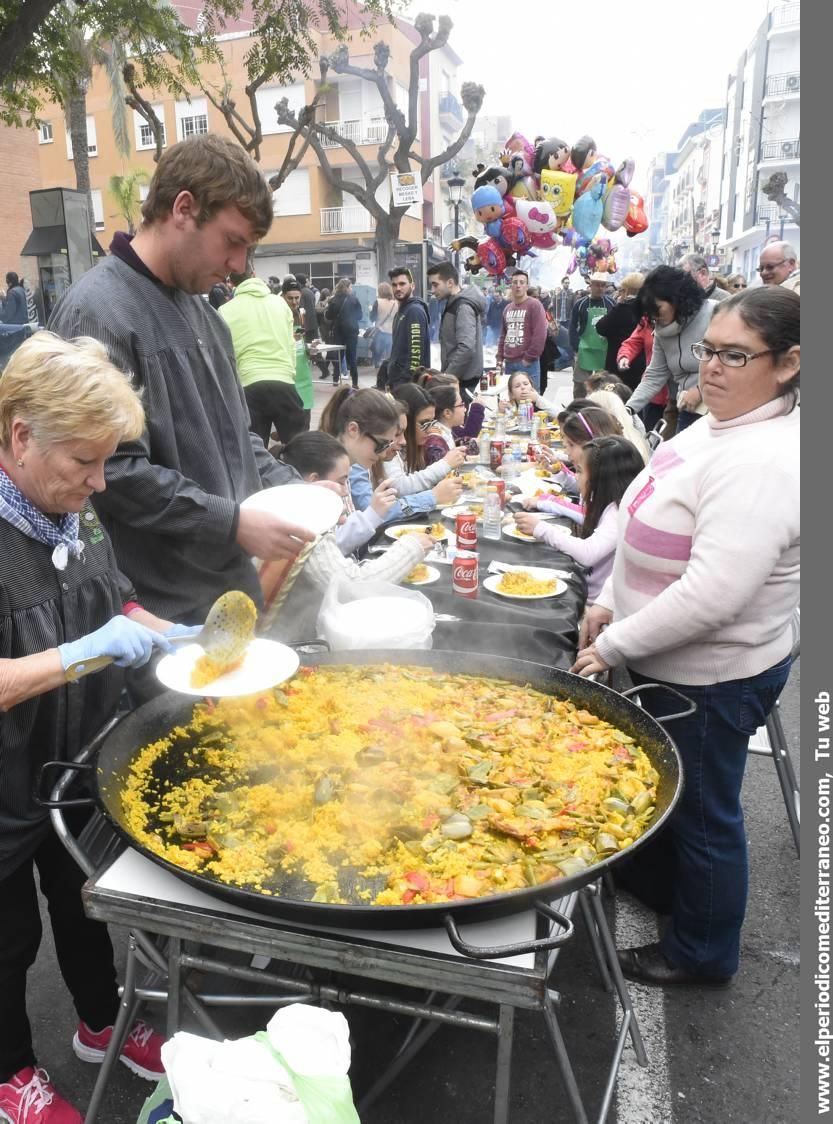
column 266, row 665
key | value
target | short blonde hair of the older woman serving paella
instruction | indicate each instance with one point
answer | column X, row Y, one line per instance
column 68, row 391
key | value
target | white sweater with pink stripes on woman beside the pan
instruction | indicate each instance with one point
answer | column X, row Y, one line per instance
column 707, row 576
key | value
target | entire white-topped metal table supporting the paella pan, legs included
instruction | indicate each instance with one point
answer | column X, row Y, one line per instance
column 171, row 922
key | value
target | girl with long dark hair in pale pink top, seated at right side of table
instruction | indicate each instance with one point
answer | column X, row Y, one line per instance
column 606, row 469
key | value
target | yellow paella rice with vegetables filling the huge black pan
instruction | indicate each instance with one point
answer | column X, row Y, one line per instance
column 390, row 786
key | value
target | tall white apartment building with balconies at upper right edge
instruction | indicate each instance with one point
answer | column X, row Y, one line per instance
column 764, row 102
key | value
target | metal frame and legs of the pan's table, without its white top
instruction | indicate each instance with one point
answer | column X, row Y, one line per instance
column 159, row 962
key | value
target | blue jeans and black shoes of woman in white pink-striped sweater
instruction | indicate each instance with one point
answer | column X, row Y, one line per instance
column 698, row 868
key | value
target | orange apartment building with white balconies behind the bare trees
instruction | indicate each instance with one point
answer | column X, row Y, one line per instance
column 320, row 229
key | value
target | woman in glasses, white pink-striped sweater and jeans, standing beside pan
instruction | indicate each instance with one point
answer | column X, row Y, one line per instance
column 703, row 594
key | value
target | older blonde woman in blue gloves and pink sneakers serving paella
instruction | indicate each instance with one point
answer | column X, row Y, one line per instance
column 64, row 410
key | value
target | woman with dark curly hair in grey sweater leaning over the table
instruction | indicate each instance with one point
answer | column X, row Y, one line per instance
column 681, row 314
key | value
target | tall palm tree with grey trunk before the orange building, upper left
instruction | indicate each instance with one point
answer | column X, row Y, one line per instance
column 112, row 58
